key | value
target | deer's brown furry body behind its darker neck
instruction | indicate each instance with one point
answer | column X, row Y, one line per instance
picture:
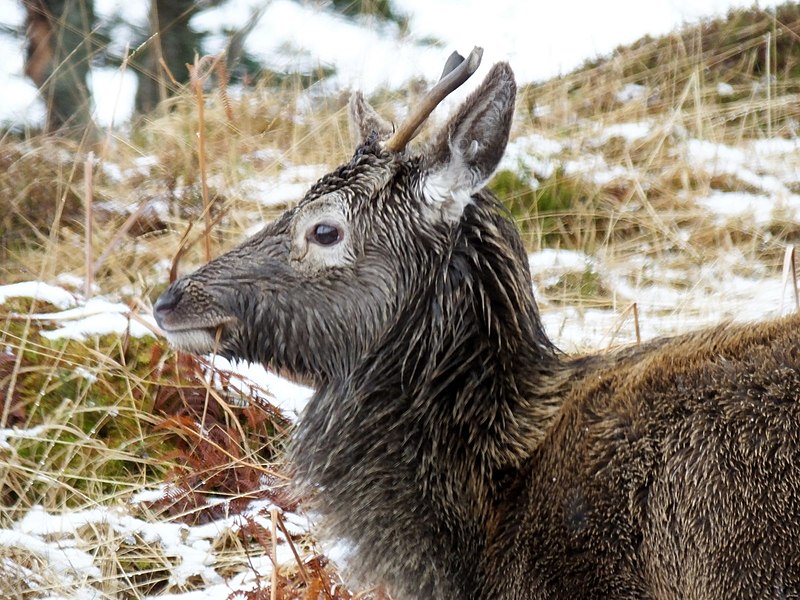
column 670, row 471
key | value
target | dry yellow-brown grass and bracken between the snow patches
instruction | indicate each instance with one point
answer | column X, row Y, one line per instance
column 137, row 420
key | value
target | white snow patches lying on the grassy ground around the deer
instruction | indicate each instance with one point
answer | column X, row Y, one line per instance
column 665, row 304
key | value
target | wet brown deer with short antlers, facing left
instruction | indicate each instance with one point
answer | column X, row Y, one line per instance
column 449, row 445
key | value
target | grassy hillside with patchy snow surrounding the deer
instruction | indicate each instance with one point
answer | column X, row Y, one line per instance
column 658, row 190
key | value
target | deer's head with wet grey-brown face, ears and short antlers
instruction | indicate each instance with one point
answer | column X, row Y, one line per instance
column 316, row 289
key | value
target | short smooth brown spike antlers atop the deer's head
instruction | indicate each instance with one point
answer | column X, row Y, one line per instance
column 456, row 71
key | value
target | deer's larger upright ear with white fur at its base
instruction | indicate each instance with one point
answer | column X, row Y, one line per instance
column 470, row 147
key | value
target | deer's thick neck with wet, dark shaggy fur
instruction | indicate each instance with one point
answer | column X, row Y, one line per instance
column 411, row 448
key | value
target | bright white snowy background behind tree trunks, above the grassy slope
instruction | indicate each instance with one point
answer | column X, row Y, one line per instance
column 540, row 40
